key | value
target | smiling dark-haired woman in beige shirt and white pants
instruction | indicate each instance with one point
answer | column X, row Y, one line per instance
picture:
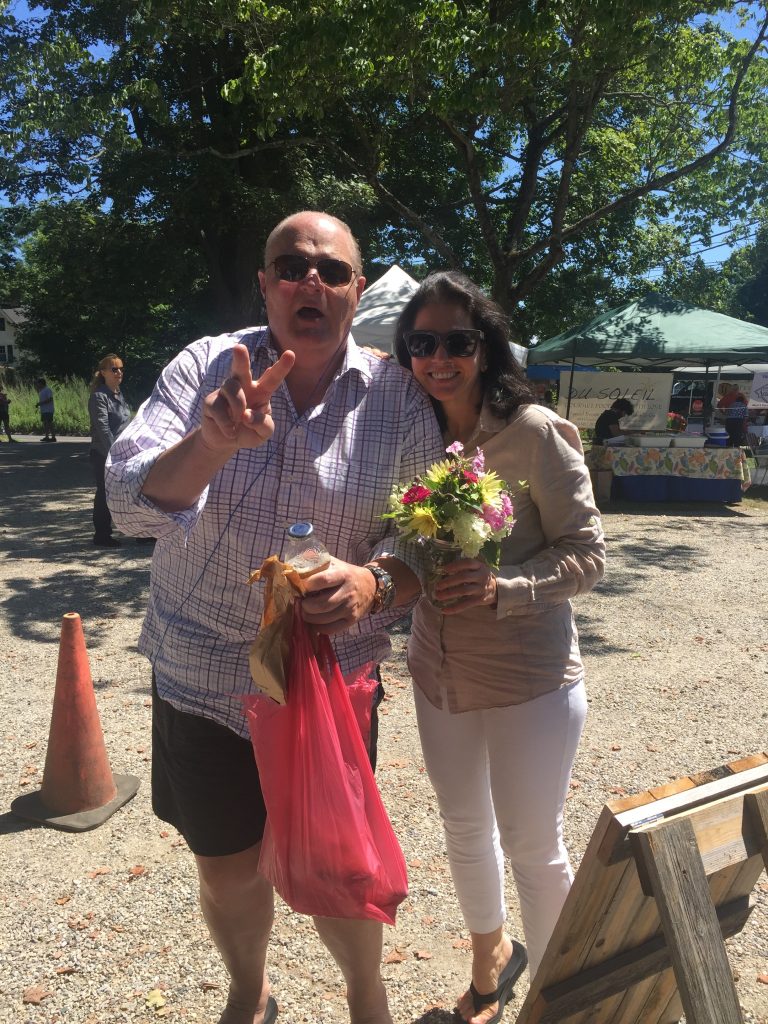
column 499, row 682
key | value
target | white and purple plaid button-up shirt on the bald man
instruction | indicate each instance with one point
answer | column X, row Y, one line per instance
column 334, row 465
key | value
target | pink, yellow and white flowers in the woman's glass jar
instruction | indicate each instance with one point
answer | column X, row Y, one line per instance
column 456, row 501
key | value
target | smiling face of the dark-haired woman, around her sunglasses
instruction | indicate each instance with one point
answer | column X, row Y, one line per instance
column 452, row 380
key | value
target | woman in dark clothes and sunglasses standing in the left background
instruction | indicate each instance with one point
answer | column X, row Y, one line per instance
column 109, row 414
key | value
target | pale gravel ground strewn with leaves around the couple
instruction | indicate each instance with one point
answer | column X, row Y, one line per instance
column 104, row 927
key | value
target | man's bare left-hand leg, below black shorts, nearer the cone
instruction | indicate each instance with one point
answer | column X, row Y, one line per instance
column 238, row 905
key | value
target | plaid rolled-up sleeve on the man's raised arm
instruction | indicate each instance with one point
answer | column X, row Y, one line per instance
column 173, row 411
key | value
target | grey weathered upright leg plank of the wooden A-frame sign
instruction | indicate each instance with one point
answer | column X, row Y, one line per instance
column 672, row 862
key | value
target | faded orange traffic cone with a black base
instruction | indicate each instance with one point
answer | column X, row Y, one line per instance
column 79, row 791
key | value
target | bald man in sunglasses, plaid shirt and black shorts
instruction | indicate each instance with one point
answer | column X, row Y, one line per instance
column 243, row 436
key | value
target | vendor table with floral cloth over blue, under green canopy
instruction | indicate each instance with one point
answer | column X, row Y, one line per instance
column 651, row 475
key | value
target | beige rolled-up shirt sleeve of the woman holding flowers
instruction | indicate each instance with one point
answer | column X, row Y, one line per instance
column 557, row 502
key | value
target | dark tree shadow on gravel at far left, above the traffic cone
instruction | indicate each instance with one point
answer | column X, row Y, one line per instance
column 46, row 518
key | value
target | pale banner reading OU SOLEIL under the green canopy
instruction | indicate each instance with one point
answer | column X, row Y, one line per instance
column 592, row 394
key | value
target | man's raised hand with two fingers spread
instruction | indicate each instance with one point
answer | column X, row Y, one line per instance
column 239, row 414
